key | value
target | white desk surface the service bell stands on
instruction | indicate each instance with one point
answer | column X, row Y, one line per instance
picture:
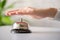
column 38, row 33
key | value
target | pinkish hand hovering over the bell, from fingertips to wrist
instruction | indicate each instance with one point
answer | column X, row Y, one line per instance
column 23, row 11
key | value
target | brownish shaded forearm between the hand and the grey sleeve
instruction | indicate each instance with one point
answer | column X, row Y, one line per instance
column 51, row 12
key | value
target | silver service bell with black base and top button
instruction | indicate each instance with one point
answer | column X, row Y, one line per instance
column 21, row 27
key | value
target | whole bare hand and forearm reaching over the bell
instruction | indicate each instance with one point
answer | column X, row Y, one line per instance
column 34, row 12
